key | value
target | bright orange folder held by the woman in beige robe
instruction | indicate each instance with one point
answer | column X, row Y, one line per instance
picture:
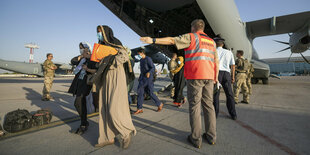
column 101, row 51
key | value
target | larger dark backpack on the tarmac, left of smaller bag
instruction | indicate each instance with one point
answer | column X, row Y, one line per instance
column 17, row 120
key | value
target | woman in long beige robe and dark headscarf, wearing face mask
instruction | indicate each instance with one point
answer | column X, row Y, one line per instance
column 114, row 115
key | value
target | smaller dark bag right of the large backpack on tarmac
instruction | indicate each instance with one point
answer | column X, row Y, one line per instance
column 42, row 117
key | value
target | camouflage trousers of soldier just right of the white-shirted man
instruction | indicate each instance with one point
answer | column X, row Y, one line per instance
column 241, row 83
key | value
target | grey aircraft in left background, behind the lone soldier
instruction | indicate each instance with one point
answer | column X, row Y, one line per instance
column 33, row 68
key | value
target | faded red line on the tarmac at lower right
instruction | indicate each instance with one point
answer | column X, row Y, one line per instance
column 266, row 138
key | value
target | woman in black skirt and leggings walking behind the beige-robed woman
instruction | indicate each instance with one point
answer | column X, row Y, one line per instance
column 79, row 87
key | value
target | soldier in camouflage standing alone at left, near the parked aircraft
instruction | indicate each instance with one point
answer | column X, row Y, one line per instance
column 49, row 72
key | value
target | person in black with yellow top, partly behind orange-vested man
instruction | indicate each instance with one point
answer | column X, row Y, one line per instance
column 179, row 82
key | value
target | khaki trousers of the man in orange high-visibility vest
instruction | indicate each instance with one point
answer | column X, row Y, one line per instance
column 200, row 95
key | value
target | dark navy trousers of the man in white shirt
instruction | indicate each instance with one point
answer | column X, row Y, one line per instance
column 225, row 80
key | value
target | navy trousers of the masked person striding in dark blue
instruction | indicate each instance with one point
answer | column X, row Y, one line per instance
column 148, row 85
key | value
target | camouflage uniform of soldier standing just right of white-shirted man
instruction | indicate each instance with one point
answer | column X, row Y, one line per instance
column 241, row 78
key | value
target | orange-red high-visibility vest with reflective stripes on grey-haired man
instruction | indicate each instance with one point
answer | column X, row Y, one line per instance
column 200, row 57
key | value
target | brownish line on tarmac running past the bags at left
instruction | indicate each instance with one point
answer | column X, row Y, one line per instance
column 46, row 126
